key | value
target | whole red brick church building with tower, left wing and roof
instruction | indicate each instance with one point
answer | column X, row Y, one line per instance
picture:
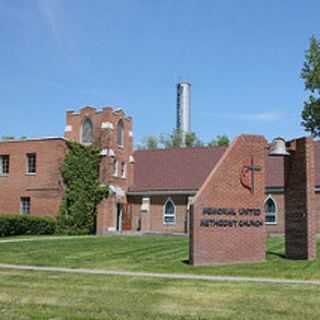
column 150, row 190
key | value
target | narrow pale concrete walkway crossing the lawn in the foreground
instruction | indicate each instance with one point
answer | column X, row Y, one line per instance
column 173, row 276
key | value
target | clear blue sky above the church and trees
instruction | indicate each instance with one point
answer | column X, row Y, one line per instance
column 243, row 59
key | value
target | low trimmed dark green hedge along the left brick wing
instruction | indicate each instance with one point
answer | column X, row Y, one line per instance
column 15, row 224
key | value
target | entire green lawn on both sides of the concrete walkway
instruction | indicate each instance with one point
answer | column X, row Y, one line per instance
column 26, row 295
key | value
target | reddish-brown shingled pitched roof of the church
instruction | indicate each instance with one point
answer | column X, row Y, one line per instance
column 185, row 169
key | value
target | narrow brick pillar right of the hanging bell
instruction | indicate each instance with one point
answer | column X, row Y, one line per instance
column 300, row 201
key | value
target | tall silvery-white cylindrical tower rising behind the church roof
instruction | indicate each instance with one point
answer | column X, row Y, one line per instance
column 184, row 106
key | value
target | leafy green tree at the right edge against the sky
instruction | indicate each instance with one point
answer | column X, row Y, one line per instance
column 311, row 75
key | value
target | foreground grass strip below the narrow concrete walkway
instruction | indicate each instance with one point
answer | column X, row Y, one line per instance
column 41, row 295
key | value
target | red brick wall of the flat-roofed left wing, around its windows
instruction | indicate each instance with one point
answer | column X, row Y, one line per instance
column 45, row 188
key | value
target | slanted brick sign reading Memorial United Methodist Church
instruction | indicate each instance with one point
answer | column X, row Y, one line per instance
column 227, row 216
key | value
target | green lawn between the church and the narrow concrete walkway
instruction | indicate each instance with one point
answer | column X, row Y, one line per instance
column 148, row 253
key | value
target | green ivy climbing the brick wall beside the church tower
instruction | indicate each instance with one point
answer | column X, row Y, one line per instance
column 83, row 191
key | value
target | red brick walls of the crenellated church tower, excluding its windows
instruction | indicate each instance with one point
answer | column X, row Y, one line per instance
column 107, row 139
